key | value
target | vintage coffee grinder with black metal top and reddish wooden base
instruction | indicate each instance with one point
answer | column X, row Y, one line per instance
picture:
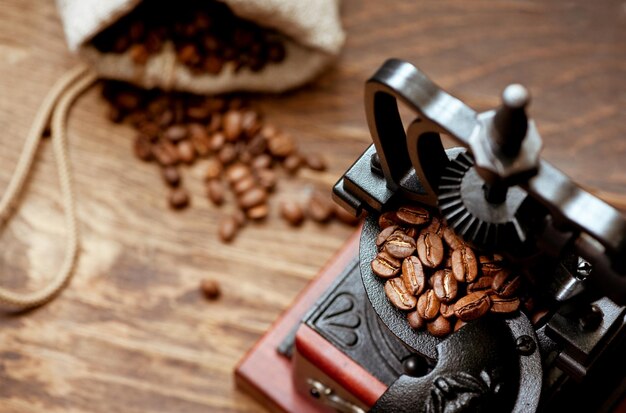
column 343, row 347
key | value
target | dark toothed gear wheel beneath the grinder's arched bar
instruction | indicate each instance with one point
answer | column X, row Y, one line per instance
column 462, row 202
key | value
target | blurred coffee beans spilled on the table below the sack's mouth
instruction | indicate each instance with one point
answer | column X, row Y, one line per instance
column 242, row 153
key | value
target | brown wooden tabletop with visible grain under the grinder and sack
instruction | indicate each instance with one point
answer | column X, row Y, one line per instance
column 132, row 332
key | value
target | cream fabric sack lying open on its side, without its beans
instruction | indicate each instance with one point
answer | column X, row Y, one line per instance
column 312, row 28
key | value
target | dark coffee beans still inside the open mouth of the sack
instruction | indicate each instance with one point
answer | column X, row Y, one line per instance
column 206, row 36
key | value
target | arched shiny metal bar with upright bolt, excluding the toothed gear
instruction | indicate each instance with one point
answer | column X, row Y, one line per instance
column 505, row 146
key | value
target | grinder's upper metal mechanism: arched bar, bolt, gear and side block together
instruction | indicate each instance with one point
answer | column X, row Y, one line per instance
column 514, row 198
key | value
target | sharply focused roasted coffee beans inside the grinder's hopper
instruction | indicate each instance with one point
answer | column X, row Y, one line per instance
column 439, row 280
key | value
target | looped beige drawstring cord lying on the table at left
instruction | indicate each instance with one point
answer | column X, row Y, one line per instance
column 58, row 103
